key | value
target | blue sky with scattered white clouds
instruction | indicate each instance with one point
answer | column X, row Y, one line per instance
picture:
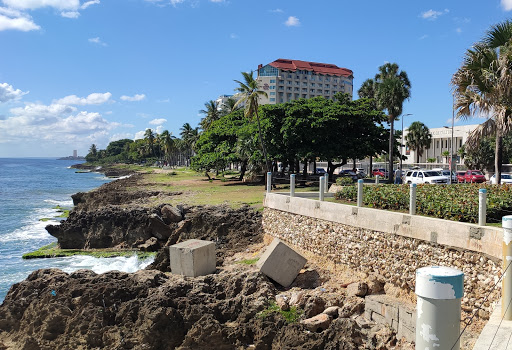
column 75, row 72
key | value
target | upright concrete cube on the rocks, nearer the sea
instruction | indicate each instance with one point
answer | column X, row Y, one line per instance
column 192, row 258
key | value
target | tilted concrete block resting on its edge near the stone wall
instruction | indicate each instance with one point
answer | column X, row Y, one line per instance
column 281, row 263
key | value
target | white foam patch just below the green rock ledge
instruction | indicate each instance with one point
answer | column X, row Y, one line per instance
column 102, row 265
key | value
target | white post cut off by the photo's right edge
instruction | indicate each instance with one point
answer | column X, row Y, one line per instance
column 506, row 283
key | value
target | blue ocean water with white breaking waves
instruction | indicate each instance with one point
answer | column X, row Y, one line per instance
column 30, row 189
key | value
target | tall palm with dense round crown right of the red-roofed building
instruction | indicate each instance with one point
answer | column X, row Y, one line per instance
column 392, row 88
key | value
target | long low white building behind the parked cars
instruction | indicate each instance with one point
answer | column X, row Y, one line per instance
column 441, row 142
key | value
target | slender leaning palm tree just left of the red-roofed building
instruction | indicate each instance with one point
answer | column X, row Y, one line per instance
column 249, row 90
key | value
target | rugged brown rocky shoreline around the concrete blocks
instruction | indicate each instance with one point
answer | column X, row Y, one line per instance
column 235, row 308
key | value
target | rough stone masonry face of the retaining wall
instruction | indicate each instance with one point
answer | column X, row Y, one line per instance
column 395, row 257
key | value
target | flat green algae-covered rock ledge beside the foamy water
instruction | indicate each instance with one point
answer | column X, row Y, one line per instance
column 51, row 251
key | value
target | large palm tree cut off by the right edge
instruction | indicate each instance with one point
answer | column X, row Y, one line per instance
column 483, row 86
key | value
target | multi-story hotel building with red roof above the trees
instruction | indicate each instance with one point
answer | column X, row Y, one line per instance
column 287, row 80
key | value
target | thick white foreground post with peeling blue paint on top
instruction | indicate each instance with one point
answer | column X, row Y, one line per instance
column 439, row 291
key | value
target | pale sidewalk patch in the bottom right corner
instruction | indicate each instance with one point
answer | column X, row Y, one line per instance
column 494, row 338
